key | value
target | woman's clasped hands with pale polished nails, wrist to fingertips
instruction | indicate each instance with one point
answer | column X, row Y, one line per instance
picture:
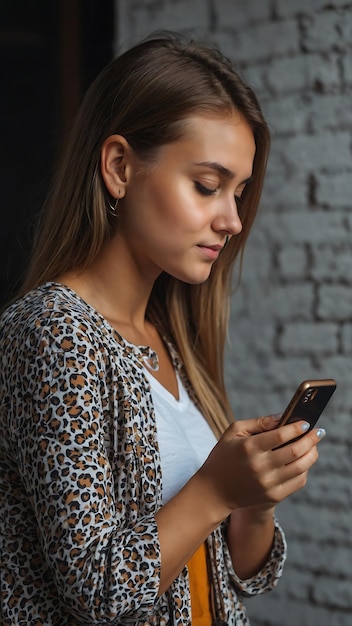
column 244, row 469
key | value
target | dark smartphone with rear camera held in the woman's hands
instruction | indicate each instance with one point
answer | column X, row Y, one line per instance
column 308, row 403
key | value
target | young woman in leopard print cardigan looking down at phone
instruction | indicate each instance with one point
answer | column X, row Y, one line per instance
column 129, row 495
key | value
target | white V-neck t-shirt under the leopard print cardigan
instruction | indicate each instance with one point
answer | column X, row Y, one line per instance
column 185, row 438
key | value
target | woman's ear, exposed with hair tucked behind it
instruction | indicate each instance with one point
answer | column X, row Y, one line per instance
column 115, row 163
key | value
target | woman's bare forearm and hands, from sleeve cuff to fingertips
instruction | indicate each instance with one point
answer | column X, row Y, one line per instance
column 242, row 473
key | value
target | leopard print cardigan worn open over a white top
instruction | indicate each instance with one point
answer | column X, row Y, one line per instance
column 81, row 479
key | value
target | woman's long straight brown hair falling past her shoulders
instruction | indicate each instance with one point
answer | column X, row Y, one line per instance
column 144, row 95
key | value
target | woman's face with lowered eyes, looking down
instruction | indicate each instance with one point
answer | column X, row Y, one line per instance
column 177, row 213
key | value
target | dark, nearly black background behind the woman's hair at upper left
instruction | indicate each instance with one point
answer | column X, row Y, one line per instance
column 50, row 51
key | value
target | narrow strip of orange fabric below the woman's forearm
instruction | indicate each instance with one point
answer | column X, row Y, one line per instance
column 200, row 588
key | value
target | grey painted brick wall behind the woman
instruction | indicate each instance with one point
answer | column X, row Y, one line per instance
column 292, row 315
